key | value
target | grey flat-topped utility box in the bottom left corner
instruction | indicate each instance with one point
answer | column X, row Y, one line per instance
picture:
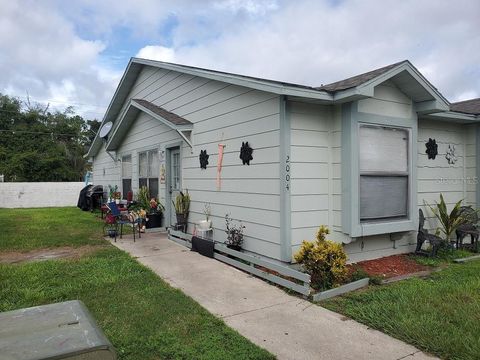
column 57, row 331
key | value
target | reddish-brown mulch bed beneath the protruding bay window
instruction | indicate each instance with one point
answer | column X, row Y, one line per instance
column 391, row 266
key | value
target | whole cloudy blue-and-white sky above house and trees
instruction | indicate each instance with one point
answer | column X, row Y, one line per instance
column 75, row 52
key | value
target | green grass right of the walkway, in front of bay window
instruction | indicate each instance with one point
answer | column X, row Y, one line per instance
column 439, row 314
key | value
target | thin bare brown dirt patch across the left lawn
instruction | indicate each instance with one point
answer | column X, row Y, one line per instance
column 65, row 252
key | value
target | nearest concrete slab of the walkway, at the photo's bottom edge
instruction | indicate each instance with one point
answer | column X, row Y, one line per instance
column 315, row 333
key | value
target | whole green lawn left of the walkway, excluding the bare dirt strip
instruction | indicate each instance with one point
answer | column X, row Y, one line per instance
column 143, row 317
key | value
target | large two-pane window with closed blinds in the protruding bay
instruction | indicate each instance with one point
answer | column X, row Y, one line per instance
column 384, row 173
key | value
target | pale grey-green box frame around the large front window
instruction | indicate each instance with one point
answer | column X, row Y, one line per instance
column 351, row 122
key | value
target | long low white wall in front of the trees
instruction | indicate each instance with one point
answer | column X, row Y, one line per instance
column 39, row 194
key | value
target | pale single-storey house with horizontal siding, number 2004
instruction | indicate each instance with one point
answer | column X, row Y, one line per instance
column 350, row 155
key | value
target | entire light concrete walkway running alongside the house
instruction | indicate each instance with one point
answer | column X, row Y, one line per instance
column 289, row 327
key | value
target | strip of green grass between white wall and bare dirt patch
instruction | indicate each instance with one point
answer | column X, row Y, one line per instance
column 27, row 229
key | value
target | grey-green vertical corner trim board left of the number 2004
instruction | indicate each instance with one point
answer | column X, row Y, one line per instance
column 285, row 183
